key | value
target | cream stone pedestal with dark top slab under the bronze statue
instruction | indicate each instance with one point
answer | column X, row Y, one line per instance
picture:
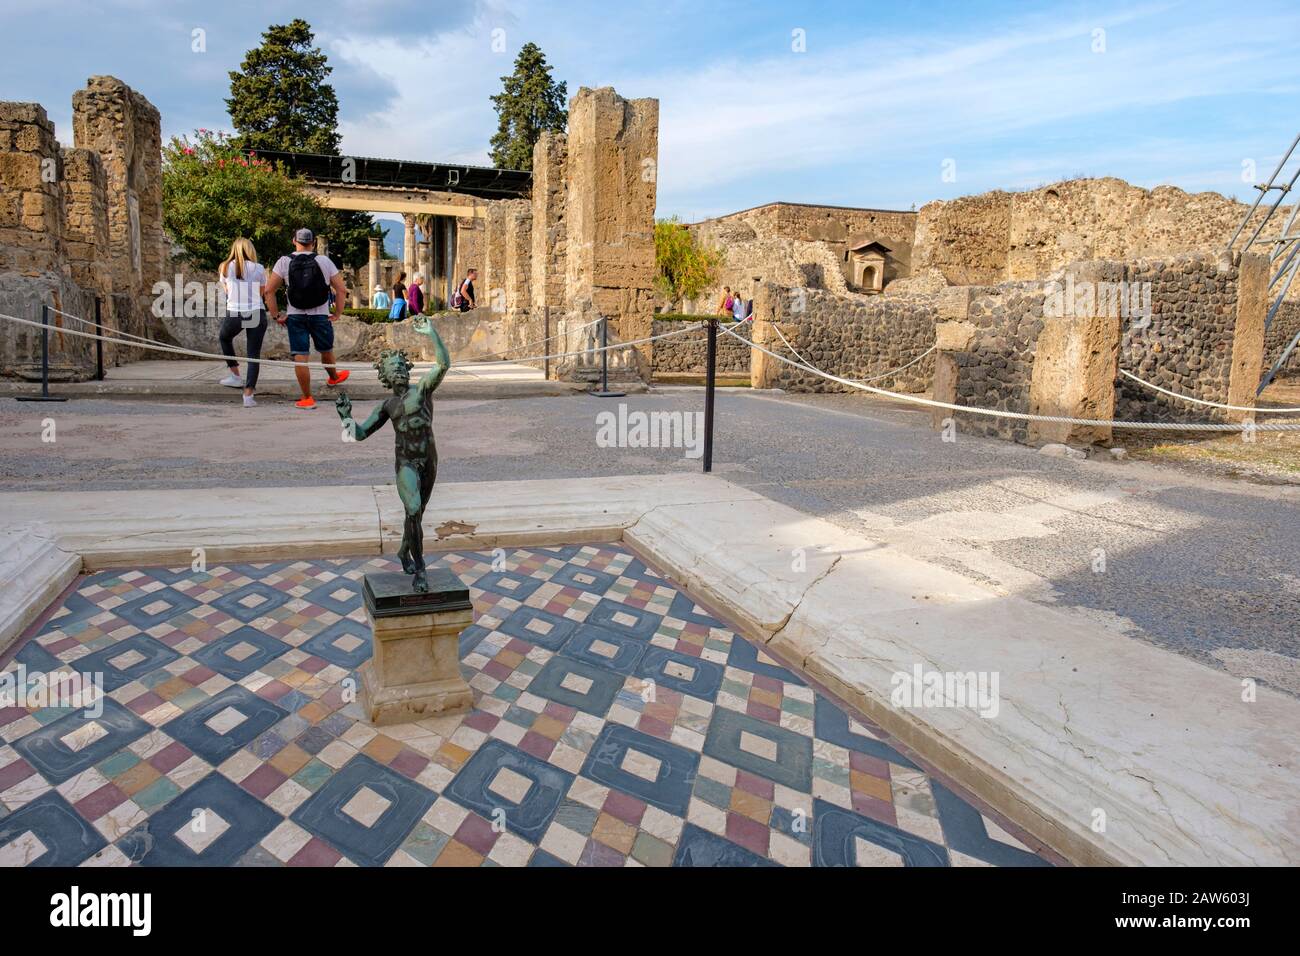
column 415, row 672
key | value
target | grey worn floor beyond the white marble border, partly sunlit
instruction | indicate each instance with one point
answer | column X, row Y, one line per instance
column 1195, row 564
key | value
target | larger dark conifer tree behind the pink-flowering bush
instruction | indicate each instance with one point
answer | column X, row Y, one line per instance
column 280, row 101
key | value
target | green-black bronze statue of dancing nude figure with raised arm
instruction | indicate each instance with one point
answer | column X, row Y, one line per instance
column 411, row 412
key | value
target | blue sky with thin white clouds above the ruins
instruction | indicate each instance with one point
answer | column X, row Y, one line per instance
column 882, row 100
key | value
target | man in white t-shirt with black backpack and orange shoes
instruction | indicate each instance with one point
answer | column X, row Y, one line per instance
column 310, row 279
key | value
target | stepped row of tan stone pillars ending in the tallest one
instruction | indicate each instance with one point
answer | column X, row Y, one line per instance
column 583, row 246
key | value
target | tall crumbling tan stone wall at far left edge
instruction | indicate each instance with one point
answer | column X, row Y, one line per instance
column 79, row 224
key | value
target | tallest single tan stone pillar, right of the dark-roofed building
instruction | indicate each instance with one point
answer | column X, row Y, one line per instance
column 610, row 185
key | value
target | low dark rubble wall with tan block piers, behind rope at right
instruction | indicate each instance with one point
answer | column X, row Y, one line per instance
column 999, row 347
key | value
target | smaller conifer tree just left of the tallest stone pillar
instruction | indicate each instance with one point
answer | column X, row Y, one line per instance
column 530, row 105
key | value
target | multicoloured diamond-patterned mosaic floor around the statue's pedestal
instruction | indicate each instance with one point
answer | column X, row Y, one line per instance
column 617, row 725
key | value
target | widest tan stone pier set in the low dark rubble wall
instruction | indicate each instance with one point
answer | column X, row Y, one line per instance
column 1077, row 362
